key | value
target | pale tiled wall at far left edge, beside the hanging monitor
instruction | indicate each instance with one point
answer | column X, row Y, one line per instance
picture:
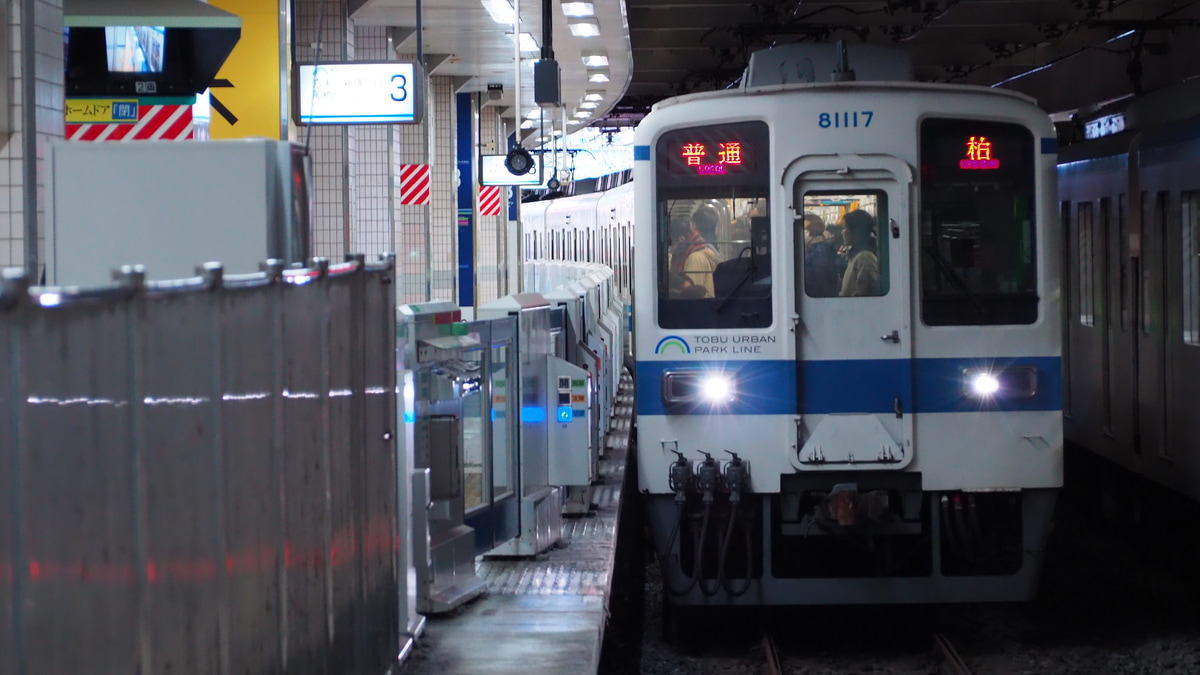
column 49, row 101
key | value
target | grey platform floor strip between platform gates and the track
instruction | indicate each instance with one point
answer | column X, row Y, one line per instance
column 547, row 614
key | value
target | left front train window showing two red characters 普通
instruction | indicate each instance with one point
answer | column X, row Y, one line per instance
column 713, row 228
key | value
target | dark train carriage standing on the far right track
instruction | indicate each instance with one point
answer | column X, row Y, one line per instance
column 1130, row 201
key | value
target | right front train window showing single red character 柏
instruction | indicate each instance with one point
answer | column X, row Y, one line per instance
column 977, row 224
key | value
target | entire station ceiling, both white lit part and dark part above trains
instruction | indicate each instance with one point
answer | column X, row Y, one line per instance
column 1069, row 55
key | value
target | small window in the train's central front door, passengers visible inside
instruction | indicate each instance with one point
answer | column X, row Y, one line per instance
column 845, row 253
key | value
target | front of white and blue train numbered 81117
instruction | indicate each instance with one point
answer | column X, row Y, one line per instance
column 848, row 336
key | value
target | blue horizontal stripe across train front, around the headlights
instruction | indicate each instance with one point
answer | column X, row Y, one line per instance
column 770, row 387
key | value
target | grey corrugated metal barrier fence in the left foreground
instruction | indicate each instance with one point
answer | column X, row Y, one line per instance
column 200, row 476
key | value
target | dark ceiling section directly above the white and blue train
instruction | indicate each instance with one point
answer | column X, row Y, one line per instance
column 1066, row 53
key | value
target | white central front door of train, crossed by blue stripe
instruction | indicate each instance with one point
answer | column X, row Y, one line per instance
column 854, row 308
